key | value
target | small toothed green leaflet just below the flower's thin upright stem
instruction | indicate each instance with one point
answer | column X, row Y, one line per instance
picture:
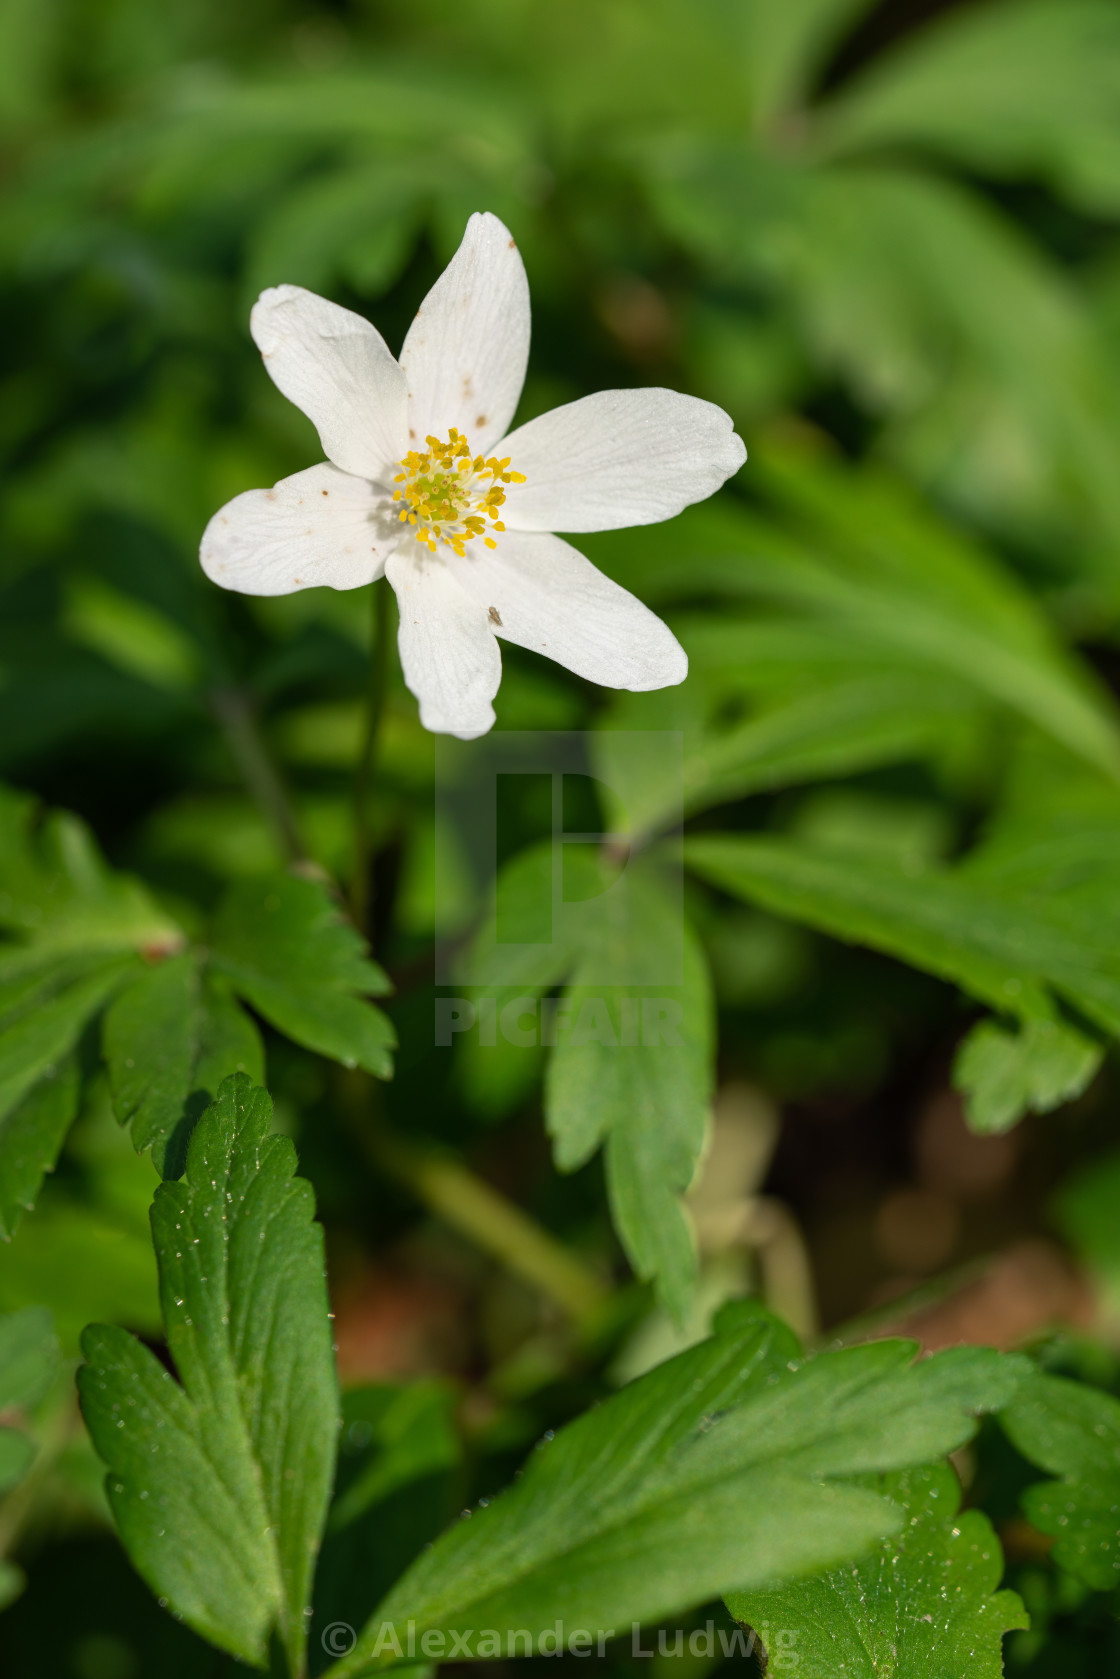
column 288, row 951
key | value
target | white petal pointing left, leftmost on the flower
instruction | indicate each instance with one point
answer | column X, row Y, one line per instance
column 317, row 528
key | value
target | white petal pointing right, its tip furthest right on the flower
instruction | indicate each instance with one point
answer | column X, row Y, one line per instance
column 619, row 459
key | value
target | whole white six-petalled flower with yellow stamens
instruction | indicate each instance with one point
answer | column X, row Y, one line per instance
column 424, row 484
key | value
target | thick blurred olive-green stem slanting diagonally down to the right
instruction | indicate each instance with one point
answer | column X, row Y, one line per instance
column 484, row 1216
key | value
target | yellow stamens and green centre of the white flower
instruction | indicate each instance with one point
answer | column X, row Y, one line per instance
column 449, row 494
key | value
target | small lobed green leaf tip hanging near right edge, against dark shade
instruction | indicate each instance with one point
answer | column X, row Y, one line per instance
column 1008, row 1074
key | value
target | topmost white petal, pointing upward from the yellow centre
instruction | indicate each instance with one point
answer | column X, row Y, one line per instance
column 468, row 350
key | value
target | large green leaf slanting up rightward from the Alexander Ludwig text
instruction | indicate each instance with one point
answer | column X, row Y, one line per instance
column 637, row 1510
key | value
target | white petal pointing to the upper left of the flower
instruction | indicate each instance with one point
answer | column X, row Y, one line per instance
column 338, row 369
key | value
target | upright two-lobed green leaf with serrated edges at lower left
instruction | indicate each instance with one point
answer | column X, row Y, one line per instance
column 221, row 1485
